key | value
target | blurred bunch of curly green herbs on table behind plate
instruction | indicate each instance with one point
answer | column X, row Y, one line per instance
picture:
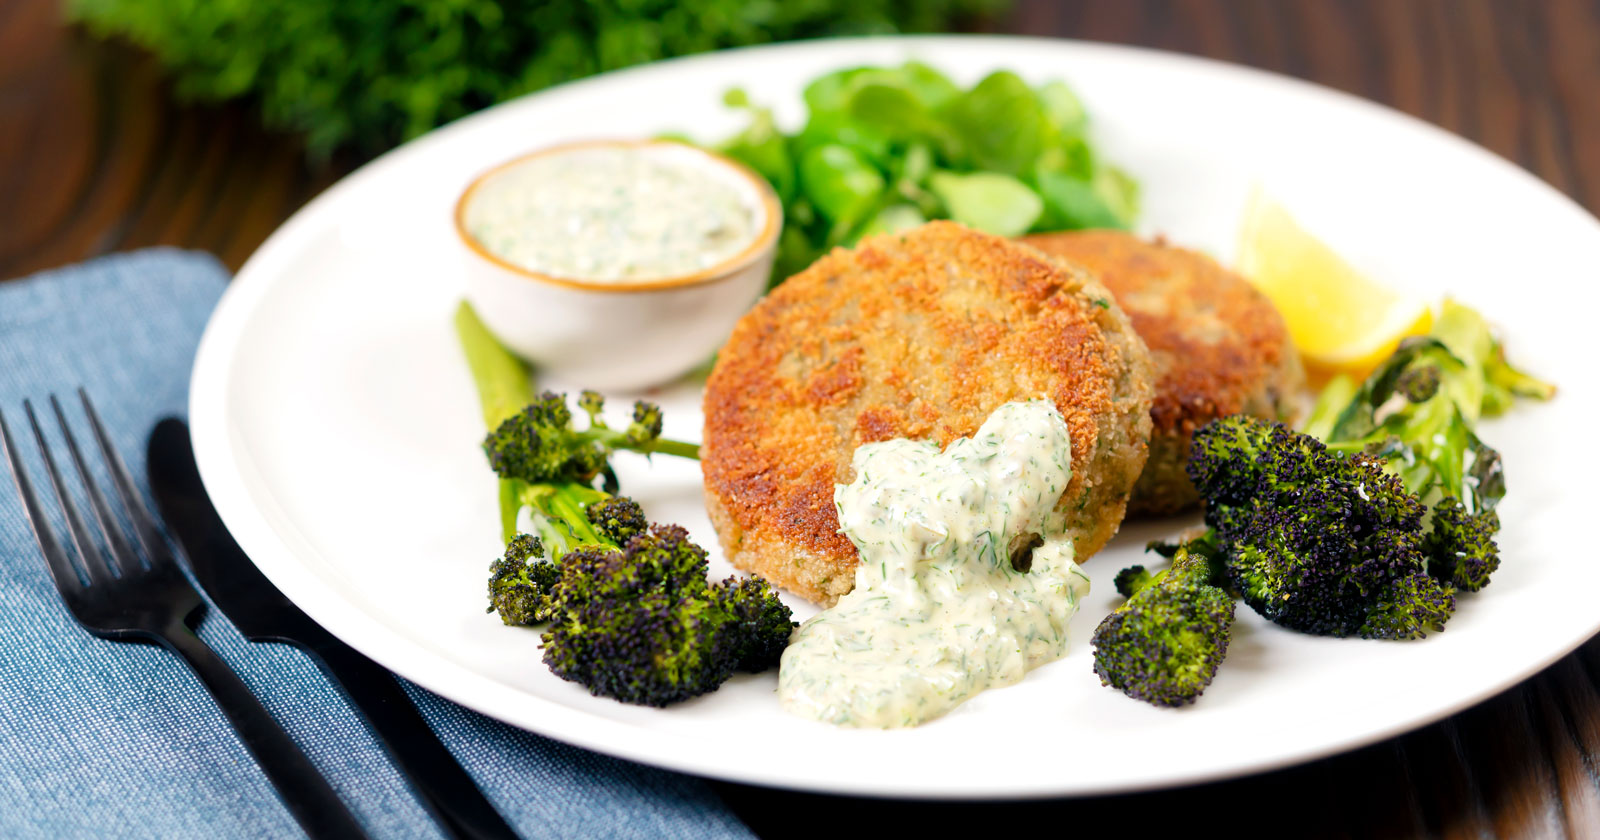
column 369, row 74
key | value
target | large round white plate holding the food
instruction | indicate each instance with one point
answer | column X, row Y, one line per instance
column 337, row 430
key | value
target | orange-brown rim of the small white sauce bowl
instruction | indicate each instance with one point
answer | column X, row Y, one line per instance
column 772, row 222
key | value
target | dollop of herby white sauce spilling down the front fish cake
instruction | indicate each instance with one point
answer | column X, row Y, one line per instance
column 940, row 614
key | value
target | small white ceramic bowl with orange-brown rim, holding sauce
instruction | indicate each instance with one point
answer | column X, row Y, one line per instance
column 623, row 335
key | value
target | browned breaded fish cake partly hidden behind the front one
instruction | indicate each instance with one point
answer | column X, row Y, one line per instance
column 1220, row 346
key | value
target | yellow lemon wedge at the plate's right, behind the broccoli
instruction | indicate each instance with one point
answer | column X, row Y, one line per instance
column 1340, row 321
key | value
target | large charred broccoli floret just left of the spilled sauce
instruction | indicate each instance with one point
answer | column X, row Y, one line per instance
column 642, row 625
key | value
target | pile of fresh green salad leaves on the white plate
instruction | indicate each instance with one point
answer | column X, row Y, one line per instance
column 890, row 148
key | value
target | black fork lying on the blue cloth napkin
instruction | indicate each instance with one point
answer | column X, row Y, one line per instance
column 121, row 598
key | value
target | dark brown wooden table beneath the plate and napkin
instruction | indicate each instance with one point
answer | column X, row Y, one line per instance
column 95, row 158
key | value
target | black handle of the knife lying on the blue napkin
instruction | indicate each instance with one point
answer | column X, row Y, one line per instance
column 434, row 774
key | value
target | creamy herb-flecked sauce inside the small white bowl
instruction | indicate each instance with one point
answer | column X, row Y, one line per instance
column 609, row 212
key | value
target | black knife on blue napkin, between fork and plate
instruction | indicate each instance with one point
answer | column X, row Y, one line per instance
column 266, row 615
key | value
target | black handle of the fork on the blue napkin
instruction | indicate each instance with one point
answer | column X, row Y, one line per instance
column 303, row 790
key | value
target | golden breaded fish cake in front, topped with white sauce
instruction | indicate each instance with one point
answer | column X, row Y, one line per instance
column 914, row 335
